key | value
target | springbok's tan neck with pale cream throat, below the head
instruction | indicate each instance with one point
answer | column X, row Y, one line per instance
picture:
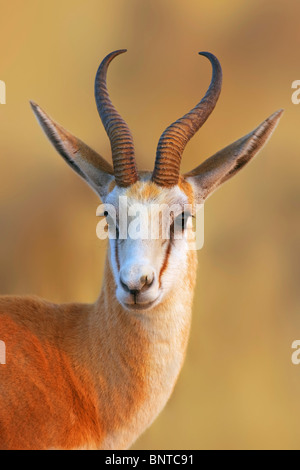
column 137, row 357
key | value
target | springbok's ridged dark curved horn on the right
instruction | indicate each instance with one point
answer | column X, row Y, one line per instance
column 175, row 138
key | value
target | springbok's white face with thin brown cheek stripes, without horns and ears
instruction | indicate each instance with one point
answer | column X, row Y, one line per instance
column 147, row 259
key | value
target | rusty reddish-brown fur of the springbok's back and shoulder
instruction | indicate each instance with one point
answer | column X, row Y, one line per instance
column 41, row 387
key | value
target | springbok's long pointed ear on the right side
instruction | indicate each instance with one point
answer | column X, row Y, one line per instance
column 208, row 176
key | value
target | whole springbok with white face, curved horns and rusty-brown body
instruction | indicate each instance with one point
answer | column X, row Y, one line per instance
column 81, row 376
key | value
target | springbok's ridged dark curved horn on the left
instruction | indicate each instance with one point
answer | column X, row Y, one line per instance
column 121, row 140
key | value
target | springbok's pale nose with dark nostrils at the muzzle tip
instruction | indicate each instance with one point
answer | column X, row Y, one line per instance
column 135, row 278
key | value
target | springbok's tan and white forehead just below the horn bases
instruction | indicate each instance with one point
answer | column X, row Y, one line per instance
column 146, row 192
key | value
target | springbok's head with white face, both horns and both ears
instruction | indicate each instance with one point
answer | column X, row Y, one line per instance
column 146, row 268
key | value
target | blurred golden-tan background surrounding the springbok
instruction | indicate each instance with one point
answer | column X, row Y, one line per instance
column 238, row 388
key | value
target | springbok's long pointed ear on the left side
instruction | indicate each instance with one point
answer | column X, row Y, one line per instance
column 96, row 171
